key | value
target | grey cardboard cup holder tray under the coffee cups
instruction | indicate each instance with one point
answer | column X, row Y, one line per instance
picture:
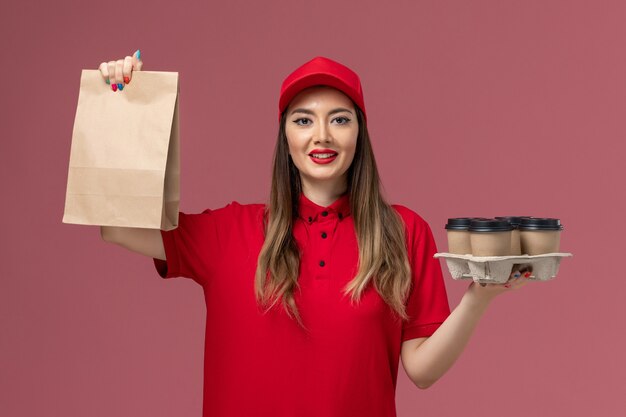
column 498, row 269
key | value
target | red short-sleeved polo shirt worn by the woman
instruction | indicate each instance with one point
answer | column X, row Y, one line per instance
column 261, row 365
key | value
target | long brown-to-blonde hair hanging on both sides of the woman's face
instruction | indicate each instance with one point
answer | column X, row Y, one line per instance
column 379, row 229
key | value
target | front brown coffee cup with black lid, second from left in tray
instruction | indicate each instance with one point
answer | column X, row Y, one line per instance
column 490, row 237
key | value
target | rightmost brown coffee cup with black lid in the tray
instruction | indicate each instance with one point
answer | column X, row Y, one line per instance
column 540, row 235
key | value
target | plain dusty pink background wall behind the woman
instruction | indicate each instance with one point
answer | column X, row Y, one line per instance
column 479, row 108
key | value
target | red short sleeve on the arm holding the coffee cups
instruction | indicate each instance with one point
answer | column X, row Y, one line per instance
column 427, row 305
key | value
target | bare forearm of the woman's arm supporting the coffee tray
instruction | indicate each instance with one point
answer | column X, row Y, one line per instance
column 433, row 358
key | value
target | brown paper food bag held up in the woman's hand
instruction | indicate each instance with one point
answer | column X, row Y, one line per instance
column 124, row 167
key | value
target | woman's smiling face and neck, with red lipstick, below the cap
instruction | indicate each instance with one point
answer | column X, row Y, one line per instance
column 322, row 130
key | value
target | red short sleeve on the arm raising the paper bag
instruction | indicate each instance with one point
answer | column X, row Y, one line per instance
column 192, row 246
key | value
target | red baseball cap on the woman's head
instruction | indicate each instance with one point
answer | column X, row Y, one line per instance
column 321, row 71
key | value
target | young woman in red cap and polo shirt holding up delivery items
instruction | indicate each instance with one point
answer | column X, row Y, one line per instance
column 314, row 297
